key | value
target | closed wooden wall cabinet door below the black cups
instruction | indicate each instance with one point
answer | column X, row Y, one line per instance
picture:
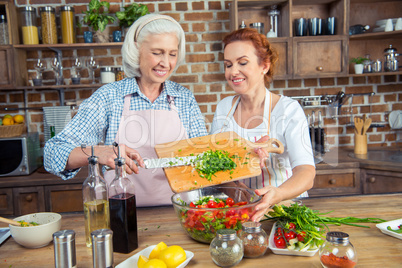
column 319, row 57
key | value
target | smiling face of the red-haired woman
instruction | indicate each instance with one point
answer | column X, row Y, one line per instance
column 243, row 71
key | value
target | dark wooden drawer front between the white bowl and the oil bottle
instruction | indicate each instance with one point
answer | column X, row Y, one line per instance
column 64, row 198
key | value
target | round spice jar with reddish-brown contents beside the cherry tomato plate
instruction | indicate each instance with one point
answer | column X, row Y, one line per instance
column 254, row 238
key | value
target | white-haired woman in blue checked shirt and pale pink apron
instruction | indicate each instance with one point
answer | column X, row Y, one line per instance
column 138, row 112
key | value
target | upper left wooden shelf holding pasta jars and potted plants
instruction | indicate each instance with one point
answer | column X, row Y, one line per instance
column 70, row 46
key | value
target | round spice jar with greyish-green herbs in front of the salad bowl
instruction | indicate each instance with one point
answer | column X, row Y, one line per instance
column 226, row 248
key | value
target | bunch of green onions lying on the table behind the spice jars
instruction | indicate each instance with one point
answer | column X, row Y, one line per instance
column 312, row 222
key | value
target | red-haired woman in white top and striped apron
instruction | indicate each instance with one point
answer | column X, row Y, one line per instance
column 256, row 114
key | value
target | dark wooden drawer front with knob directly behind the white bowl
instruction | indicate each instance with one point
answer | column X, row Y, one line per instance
column 28, row 200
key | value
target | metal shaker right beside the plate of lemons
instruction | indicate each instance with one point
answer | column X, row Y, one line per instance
column 102, row 248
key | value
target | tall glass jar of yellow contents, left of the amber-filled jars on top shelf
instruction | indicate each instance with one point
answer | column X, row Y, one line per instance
column 29, row 29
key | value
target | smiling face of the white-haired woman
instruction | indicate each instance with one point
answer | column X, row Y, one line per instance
column 158, row 57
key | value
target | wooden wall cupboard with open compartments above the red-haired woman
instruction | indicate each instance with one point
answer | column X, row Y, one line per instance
column 325, row 55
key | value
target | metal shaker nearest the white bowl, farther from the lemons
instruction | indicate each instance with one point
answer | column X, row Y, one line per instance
column 64, row 249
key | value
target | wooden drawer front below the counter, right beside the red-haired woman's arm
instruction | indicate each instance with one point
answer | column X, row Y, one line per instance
column 336, row 182
